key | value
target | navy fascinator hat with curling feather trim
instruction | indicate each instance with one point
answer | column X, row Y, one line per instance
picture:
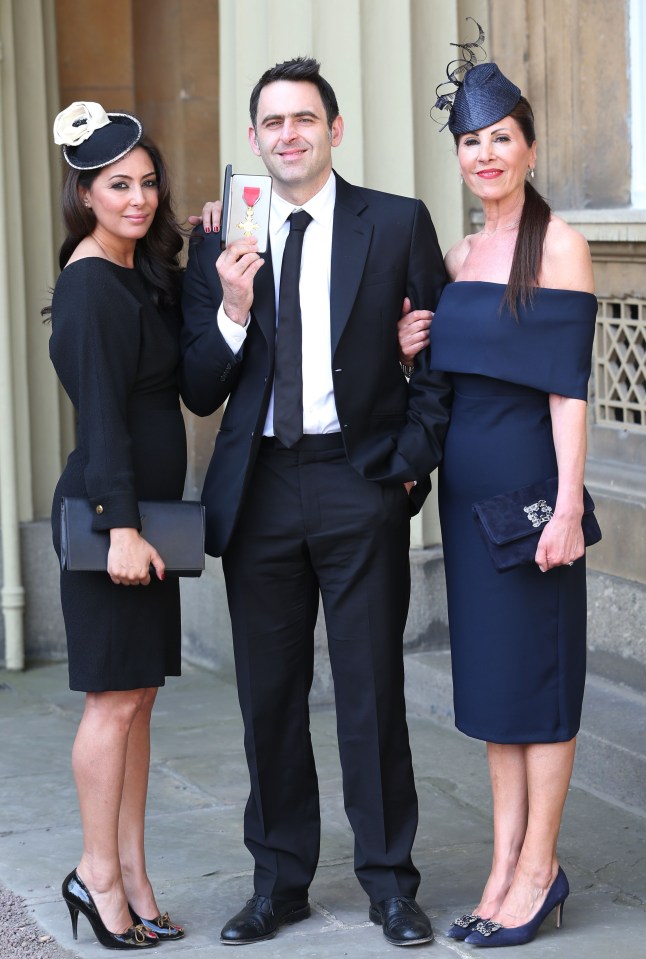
column 482, row 95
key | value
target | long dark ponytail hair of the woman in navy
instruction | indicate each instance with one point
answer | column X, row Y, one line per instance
column 535, row 218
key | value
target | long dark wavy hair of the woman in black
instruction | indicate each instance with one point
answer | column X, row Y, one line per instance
column 156, row 253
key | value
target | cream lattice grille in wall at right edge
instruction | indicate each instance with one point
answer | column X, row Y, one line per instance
column 620, row 361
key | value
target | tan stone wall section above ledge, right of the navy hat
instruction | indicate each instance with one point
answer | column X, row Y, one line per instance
column 570, row 60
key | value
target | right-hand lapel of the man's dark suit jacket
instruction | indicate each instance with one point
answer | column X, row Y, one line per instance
column 351, row 237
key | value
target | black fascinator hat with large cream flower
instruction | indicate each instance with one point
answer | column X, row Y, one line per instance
column 92, row 138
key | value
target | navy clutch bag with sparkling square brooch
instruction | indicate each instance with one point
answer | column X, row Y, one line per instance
column 511, row 524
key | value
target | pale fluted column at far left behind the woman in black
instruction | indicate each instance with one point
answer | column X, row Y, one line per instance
column 26, row 135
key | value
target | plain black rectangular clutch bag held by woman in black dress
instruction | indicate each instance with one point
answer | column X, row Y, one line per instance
column 174, row 527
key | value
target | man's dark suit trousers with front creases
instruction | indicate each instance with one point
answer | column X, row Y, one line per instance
column 311, row 523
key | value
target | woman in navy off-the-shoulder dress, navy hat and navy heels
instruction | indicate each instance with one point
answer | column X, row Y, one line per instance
column 514, row 330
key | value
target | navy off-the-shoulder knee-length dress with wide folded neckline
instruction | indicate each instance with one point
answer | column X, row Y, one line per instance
column 518, row 639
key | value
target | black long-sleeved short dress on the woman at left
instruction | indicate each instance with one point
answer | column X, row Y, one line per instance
column 116, row 356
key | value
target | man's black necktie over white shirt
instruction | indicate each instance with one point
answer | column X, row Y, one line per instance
column 288, row 376
